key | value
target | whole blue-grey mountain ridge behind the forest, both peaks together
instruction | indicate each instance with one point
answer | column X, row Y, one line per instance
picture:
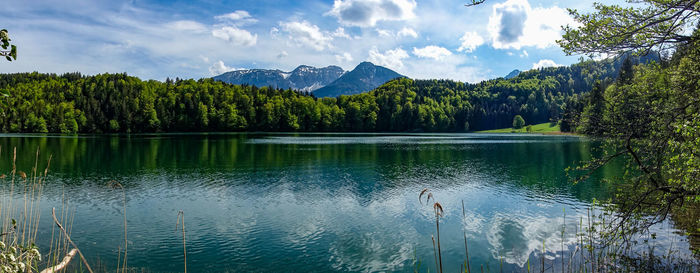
column 330, row 81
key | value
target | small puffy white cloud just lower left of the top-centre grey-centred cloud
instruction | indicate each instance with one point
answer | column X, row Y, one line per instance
column 305, row 33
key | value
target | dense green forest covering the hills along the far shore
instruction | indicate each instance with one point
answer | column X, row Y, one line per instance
column 108, row 103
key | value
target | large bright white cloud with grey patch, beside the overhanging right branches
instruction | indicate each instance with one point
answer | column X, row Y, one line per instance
column 515, row 24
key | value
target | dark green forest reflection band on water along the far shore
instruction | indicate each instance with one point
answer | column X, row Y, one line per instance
column 221, row 159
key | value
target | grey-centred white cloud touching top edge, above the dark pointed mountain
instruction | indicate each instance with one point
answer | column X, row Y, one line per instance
column 366, row 13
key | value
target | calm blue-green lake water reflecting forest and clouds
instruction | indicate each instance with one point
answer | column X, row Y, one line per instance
column 313, row 202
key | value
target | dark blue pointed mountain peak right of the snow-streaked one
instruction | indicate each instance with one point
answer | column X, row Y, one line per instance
column 365, row 77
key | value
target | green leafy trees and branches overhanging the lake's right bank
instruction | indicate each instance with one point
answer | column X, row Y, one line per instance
column 650, row 115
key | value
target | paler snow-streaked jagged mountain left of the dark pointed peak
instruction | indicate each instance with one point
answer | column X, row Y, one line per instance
column 304, row 78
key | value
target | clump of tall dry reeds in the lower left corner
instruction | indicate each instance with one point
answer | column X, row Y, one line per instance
column 20, row 214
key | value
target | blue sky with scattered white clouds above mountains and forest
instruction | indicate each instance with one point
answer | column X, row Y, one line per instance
column 194, row 39
